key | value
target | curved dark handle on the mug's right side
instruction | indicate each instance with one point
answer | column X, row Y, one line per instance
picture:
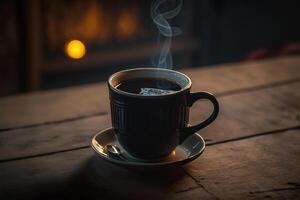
column 192, row 98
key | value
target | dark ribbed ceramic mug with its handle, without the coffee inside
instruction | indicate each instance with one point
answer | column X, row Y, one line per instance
column 150, row 127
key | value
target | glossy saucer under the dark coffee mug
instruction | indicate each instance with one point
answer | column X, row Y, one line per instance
column 186, row 152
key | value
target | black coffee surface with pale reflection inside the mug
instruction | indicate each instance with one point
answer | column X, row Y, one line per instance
column 149, row 86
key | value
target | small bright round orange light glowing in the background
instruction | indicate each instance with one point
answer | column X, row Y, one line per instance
column 75, row 49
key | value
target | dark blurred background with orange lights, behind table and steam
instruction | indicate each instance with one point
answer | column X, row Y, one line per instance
column 49, row 44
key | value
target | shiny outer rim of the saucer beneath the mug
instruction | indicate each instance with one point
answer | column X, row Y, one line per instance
column 143, row 163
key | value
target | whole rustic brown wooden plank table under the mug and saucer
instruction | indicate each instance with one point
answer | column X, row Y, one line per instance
column 253, row 148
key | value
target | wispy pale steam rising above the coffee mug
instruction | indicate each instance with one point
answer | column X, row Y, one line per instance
column 166, row 32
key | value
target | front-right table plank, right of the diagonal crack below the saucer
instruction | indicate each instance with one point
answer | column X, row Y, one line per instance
column 261, row 167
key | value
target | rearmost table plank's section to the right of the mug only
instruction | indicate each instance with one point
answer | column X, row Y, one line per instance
column 227, row 78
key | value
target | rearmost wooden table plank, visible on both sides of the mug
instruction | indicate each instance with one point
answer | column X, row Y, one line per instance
column 76, row 102
